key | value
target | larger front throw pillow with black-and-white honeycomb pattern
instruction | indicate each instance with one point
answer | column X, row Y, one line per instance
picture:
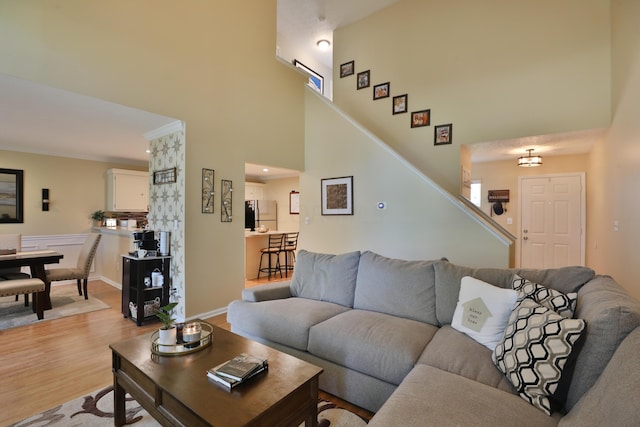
column 535, row 349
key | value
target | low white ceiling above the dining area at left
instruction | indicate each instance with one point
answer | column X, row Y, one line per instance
column 40, row 119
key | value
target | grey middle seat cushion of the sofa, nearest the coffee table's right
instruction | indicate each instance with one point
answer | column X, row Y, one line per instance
column 375, row 344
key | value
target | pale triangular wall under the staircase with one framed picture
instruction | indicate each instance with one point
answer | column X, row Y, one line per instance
column 421, row 221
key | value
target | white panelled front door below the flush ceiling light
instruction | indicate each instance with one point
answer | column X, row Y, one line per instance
column 552, row 215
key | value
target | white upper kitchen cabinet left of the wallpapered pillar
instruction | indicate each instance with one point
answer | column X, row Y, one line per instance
column 127, row 190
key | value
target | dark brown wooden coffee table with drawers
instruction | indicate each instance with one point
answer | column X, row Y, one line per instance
column 176, row 391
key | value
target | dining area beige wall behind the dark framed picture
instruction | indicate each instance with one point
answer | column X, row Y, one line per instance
column 76, row 188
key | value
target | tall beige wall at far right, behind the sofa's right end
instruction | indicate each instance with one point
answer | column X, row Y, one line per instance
column 615, row 162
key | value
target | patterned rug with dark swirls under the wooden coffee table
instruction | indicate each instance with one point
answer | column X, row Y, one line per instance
column 96, row 409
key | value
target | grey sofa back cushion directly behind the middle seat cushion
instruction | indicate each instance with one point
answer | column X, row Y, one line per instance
column 397, row 287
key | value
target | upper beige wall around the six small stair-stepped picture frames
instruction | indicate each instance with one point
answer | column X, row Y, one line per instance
column 496, row 69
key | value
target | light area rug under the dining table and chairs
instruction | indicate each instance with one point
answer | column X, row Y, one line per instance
column 64, row 300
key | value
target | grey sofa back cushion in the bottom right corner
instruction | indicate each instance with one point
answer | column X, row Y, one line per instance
column 613, row 399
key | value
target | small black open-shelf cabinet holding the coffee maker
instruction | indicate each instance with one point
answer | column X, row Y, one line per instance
column 134, row 272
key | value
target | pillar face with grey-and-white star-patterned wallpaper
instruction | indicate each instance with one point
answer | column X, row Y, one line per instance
column 166, row 205
